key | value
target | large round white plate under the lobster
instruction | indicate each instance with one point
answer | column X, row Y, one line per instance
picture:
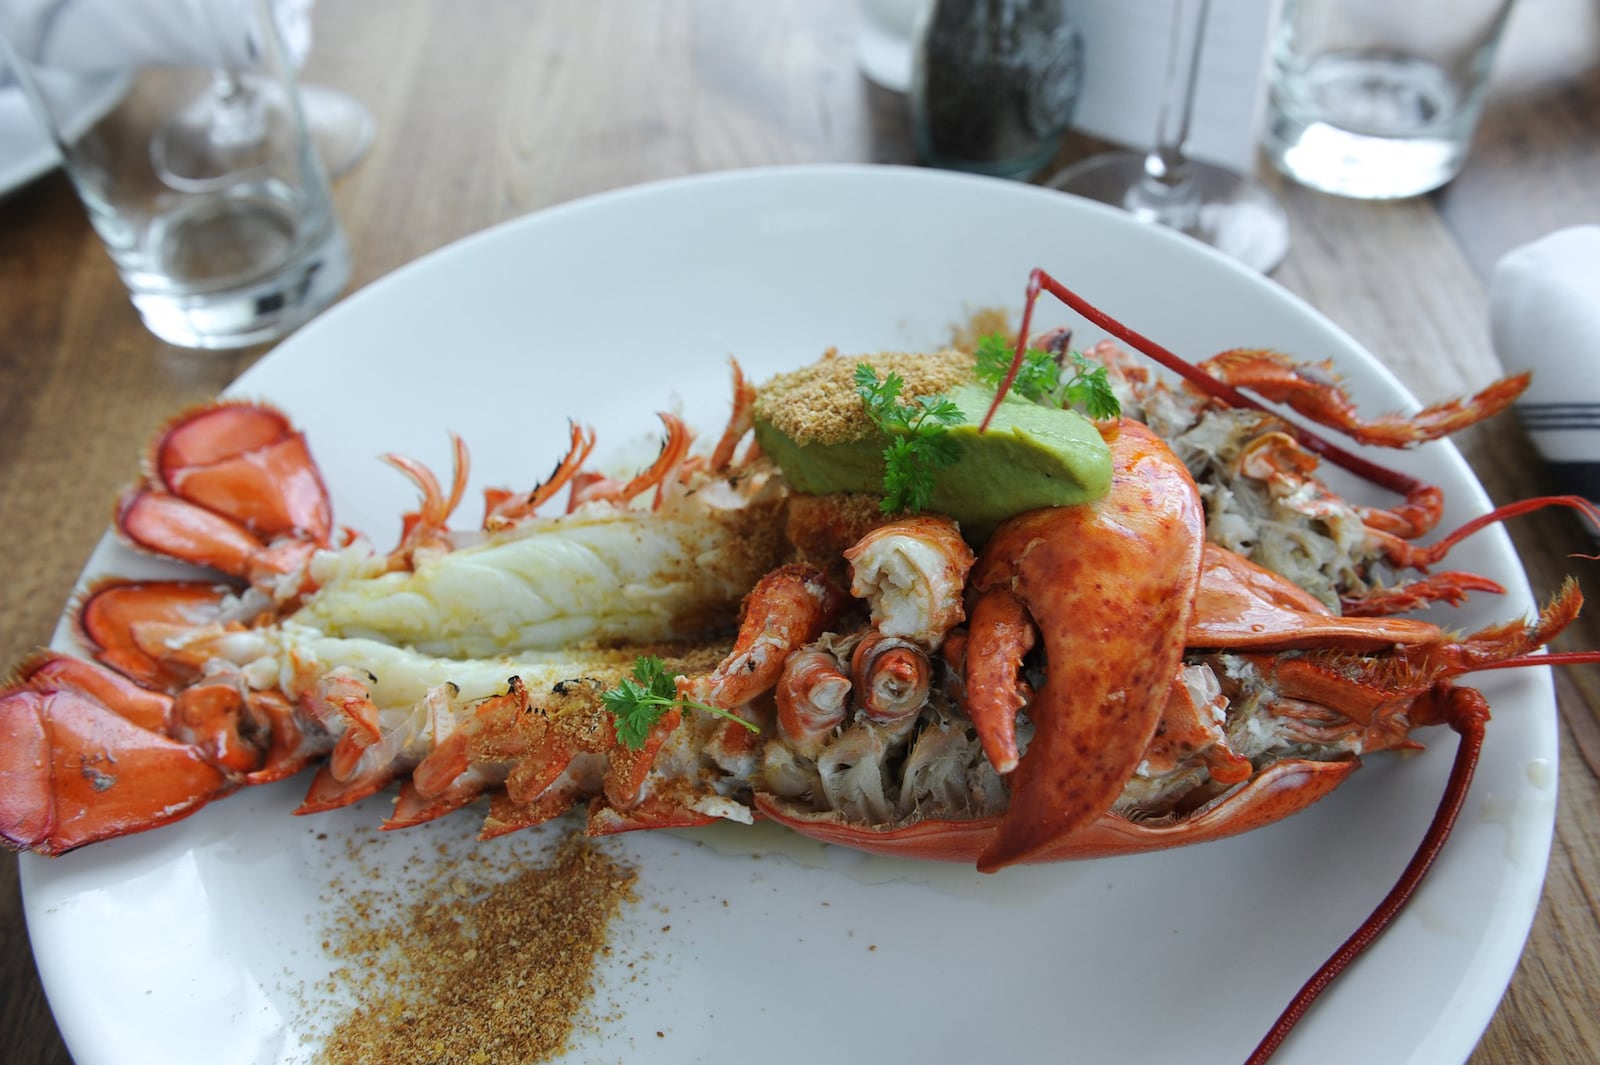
column 196, row 943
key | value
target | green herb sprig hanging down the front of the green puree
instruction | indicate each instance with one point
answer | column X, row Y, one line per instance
column 919, row 444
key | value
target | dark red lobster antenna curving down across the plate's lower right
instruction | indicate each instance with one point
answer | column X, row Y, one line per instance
column 1470, row 728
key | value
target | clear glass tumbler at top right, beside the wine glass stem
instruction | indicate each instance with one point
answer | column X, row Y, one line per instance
column 1378, row 100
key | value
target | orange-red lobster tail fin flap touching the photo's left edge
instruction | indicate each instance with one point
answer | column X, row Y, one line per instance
column 74, row 772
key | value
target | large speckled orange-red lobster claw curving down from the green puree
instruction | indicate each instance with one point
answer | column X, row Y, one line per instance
column 1111, row 586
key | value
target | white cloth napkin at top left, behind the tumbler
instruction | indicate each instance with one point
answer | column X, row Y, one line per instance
column 105, row 36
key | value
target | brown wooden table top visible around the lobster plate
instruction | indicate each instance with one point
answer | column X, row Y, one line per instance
column 495, row 110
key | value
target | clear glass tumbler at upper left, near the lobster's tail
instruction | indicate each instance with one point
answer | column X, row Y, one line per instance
column 194, row 162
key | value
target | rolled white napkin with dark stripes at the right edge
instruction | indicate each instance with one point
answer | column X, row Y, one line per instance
column 1545, row 316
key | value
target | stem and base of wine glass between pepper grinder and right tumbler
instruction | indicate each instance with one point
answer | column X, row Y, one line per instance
column 1223, row 209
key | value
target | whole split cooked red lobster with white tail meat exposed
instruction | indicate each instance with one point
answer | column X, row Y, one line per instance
column 698, row 642
